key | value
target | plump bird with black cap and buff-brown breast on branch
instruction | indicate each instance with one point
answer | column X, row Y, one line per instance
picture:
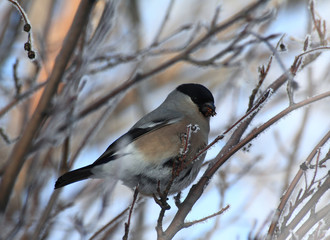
column 165, row 149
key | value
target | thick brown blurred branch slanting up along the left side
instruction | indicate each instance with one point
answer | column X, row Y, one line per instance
column 21, row 149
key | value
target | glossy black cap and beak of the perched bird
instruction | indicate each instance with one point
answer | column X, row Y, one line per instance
column 201, row 96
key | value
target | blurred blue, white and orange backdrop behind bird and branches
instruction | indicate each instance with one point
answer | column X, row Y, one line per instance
column 126, row 38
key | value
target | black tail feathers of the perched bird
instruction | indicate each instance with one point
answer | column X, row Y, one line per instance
column 74, row 176
